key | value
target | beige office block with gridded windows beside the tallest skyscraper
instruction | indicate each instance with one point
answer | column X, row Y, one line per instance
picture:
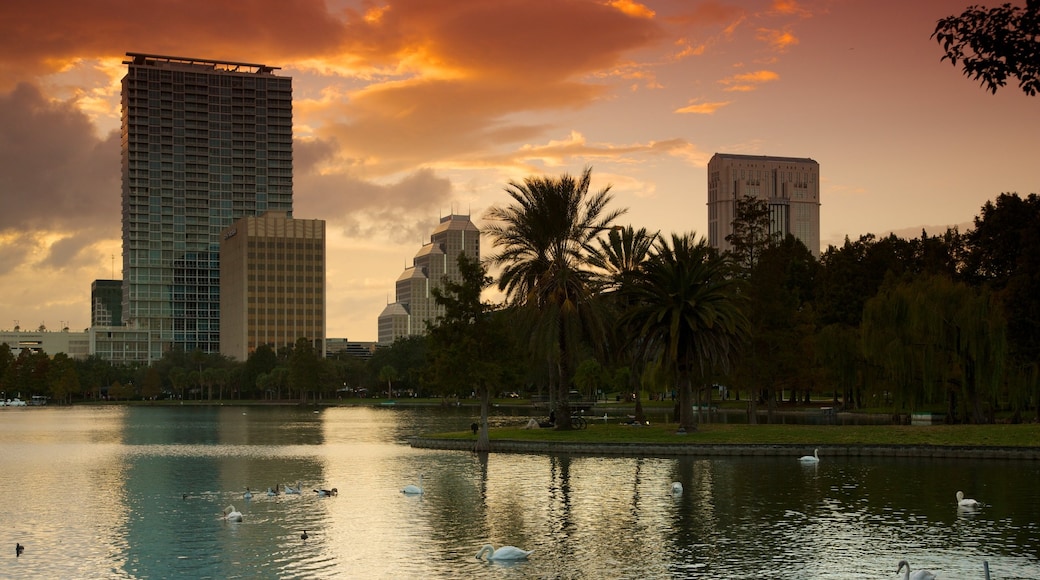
column 273, row 287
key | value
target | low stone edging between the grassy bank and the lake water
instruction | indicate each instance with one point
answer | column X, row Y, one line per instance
column 723, row 451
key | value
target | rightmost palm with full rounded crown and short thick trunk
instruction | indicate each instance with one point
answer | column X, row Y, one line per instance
column 687, row 313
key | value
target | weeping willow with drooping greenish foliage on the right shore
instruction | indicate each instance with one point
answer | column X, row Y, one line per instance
column 934, row 339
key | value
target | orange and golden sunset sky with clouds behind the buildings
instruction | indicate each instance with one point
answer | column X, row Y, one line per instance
column 408, row 111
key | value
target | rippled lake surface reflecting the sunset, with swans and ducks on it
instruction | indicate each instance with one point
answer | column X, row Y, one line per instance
column 138, row 493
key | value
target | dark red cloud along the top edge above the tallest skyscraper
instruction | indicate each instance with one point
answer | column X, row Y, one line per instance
column 45, row 37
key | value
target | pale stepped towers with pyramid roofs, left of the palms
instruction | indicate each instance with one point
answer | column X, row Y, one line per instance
column 435, row 261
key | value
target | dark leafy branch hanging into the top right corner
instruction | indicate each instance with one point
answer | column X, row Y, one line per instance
column 995, row 44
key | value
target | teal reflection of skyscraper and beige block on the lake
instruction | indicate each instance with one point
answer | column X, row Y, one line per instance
column 190, row 463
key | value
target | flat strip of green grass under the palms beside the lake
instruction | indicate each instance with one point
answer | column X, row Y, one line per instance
column 952, row 436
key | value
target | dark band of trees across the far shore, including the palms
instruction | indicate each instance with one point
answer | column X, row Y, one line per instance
column 948, row 323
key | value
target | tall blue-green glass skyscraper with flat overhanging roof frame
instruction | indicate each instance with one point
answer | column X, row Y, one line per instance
column 204, row 143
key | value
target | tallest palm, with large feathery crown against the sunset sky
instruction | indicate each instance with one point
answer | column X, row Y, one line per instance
column 545, row 239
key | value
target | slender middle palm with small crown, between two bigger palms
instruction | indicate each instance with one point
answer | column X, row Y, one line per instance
column 621, row 257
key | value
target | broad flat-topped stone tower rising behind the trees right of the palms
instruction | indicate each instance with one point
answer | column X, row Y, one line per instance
column 790, row 186
